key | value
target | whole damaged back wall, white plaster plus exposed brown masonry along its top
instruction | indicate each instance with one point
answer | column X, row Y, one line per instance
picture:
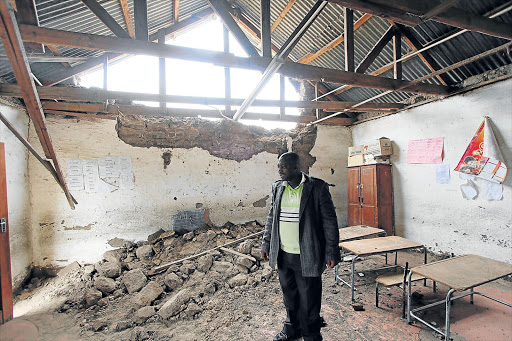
column 233, row 186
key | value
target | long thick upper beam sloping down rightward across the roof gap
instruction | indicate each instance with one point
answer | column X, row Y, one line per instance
column 290, row 69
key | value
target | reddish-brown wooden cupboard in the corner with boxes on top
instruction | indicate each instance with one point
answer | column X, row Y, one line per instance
column 370, row 197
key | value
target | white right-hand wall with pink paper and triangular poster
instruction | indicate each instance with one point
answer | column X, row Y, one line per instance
column 436, row 214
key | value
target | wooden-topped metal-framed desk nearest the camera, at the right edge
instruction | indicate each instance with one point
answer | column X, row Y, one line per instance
column 481, row 273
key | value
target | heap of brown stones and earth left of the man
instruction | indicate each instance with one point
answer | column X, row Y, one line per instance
column 167, row 278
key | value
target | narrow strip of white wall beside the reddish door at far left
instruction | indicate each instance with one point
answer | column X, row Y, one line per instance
column 18, row 197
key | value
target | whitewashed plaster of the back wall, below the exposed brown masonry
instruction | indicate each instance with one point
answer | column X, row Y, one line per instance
column 228, row 188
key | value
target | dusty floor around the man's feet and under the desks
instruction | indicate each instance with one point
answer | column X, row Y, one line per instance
column 484, row 320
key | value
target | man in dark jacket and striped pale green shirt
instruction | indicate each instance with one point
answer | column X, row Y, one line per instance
column 301, row 237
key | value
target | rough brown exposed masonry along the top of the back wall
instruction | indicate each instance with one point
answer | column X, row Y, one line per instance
column 225, row 139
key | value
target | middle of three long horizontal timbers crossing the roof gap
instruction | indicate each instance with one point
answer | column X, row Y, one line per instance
column 83, row 94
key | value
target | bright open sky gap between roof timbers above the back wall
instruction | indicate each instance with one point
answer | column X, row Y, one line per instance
column 187, row 78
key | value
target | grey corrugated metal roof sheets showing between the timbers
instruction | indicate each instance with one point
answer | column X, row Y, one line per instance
column 73, row 15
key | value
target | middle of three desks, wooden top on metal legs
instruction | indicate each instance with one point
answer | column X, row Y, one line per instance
column 382, row 245
